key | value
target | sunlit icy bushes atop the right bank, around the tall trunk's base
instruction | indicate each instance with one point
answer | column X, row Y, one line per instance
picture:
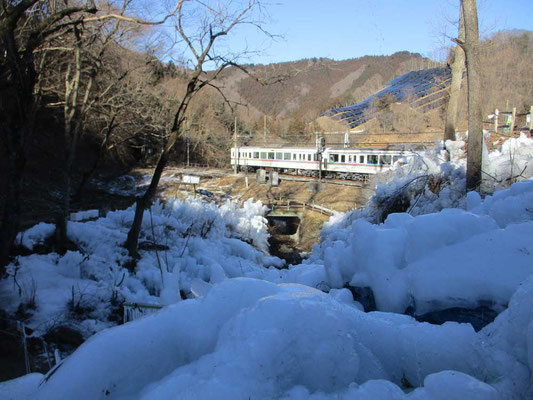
column 427, row 183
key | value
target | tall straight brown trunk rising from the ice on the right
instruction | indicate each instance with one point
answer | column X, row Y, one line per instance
column 475, row 120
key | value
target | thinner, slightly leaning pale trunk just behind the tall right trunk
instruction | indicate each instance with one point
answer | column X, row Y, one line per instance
column 458, row 67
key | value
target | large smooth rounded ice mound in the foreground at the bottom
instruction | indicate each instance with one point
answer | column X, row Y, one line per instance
column 253, row 339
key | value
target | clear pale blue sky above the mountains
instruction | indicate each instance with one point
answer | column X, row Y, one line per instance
column 342, row 29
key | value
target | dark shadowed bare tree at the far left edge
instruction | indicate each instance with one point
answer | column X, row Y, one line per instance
column 24, row 27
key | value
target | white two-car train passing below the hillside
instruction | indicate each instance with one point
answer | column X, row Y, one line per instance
column 344, row 163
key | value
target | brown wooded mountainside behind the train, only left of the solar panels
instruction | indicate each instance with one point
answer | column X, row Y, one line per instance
column 309, row 87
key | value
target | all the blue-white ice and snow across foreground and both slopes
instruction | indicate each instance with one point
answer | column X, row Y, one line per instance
column 258, row 332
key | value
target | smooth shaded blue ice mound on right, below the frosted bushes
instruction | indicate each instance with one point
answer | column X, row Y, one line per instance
column 453, row 258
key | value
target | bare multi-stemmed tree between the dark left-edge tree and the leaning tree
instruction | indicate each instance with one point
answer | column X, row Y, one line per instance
column 87, row 83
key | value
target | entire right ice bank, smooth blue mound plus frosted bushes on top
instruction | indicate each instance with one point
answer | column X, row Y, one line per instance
column 448, row 250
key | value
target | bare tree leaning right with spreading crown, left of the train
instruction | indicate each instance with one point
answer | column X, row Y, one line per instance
column 215, row 21
